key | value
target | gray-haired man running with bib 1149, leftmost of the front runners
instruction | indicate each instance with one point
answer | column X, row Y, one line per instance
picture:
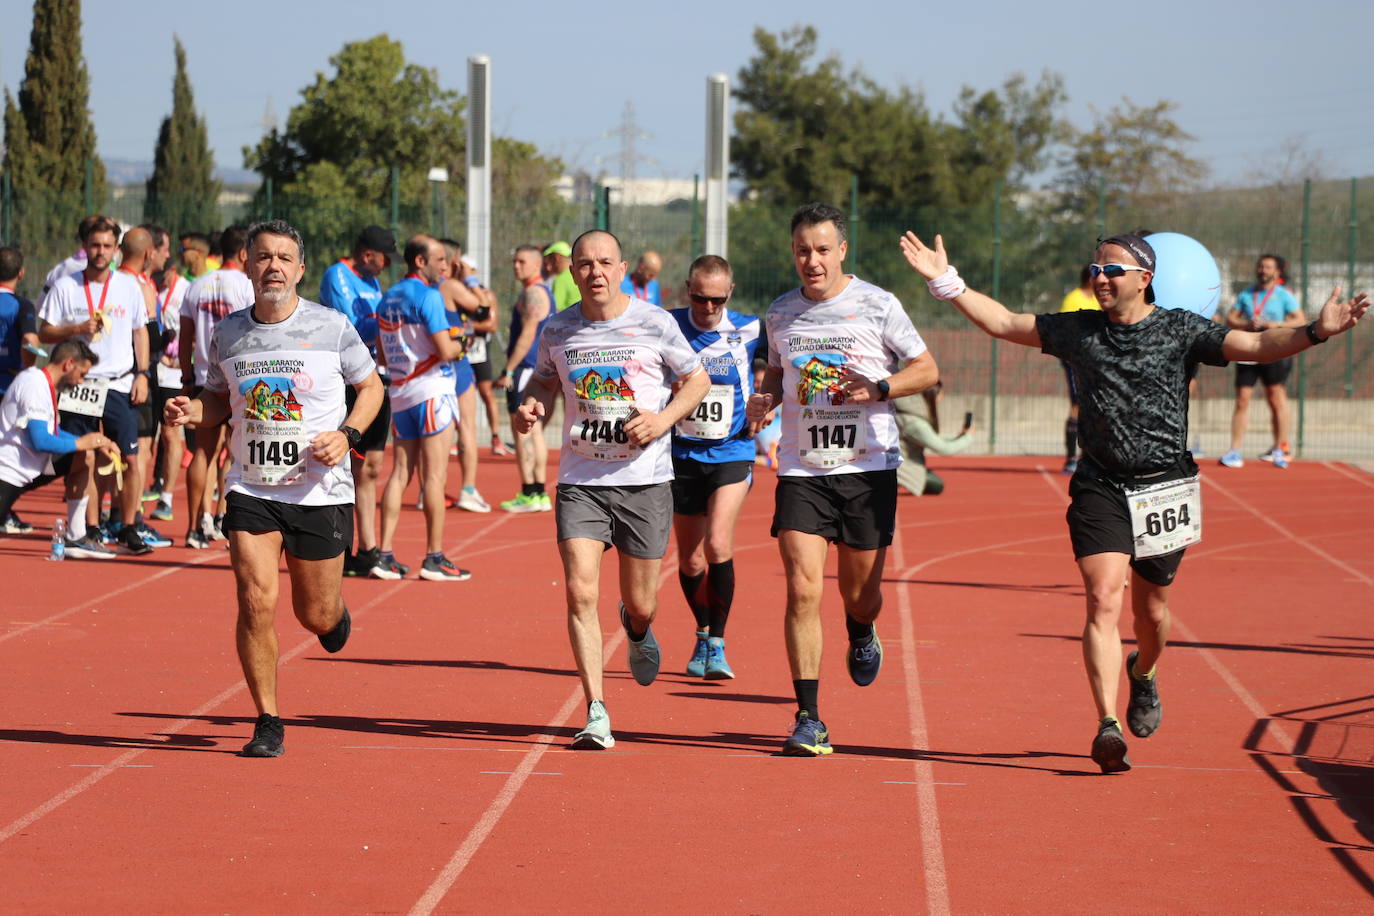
column 278, row 373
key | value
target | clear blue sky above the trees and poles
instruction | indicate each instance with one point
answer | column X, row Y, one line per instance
column 1248, row 78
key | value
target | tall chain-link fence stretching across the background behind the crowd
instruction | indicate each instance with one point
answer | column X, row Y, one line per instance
column 1015, row 248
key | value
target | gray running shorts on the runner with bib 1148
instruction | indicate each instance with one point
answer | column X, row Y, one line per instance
column 635, row 520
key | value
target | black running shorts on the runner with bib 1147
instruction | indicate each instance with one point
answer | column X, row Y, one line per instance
column 855, row 510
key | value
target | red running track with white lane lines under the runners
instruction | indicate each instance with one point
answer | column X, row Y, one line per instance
column 427, row 767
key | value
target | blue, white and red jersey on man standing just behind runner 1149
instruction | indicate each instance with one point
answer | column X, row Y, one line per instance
column 410, row 315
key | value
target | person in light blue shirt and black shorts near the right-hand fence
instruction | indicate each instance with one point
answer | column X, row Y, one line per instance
column 1265, row 306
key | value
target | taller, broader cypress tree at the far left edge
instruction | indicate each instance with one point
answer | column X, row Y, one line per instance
column 49, row 135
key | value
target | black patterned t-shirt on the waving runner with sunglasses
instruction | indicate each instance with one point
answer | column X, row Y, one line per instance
column 1133, row 381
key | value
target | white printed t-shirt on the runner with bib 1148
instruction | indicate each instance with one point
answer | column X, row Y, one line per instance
column 608, row 369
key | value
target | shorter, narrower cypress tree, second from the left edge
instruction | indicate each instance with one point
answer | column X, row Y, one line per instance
column 183, row 193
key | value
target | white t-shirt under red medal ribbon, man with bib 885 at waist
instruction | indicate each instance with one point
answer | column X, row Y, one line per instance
column 68, row 304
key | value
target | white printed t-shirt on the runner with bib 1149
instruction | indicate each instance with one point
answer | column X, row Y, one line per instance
column 286, row 385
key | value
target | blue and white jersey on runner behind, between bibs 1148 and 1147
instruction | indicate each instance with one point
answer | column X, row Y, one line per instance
column 717, row 431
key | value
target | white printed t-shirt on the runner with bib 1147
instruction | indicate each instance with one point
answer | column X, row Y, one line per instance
column 864, row 329
